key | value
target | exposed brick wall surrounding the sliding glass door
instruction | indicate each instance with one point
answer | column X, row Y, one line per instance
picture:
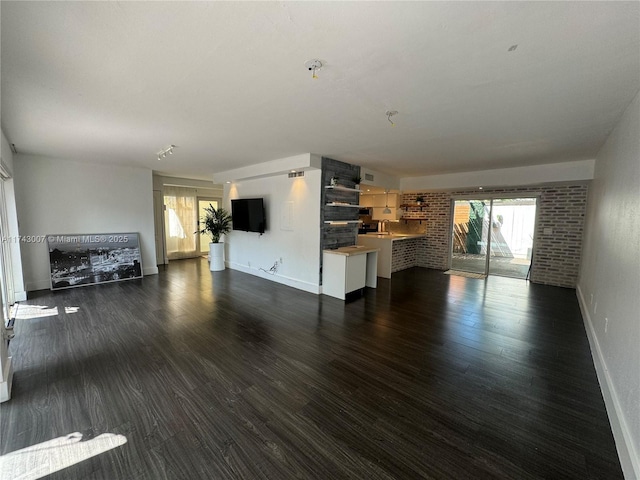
column 556, row 256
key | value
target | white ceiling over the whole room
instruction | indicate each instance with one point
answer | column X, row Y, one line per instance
column 226, row 83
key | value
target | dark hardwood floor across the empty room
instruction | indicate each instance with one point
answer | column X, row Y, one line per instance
column 224, row 375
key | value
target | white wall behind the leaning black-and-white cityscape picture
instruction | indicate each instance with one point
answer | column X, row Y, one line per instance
column 62, row 196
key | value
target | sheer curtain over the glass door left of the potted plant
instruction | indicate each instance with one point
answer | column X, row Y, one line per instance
column 181, row 221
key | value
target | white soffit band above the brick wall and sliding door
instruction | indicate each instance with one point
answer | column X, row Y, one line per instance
column 503, row 177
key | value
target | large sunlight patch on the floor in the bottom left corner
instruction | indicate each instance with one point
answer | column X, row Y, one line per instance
column 54, row 455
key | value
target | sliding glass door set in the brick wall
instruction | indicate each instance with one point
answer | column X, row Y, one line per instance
column 493, row 236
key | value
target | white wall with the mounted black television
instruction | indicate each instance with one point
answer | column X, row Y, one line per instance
column 297, row 244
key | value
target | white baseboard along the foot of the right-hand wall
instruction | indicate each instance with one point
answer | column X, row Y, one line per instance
column 629, row 459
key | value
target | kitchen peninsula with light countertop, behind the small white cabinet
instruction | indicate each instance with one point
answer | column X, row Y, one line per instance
column 396, row 251
